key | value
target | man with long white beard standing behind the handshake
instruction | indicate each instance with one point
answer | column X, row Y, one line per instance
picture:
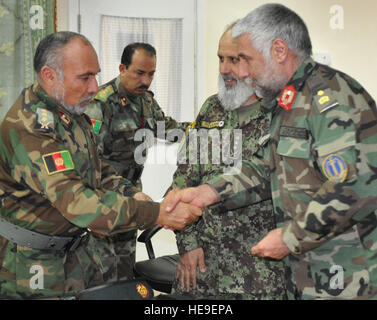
column 219, row 243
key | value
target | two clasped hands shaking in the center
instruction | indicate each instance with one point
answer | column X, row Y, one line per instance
column 182, row 207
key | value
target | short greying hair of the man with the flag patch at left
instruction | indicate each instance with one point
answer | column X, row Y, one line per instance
column 49, row 49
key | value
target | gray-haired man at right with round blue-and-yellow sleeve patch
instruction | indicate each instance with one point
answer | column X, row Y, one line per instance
column 320, row 157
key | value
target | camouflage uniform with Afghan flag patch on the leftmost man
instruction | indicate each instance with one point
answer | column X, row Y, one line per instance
column 53, row 182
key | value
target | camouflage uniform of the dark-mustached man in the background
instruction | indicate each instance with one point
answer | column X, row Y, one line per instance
column 116, row 116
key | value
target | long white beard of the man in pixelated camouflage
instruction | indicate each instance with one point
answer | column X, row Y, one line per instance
column 234, row 97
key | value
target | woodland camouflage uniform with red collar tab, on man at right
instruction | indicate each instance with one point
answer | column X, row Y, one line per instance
column 322, row 161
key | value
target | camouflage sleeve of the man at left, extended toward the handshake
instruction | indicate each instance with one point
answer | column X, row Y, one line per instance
column 102, row 210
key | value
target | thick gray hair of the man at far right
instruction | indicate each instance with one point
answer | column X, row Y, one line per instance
column 272, row 21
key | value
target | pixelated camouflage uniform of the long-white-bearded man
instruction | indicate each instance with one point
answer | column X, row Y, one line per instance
column 226, row 237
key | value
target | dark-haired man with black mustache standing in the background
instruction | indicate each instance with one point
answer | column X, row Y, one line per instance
column 122, row 107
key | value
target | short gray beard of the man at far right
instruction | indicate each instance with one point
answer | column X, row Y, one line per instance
column 271, row 81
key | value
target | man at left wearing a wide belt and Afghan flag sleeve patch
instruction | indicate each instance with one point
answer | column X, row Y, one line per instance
column 54, row 189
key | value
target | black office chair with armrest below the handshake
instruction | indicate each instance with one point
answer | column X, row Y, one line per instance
column 159, row 272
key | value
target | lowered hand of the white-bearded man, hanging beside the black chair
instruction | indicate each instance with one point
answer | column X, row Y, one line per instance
column 187, row 265
